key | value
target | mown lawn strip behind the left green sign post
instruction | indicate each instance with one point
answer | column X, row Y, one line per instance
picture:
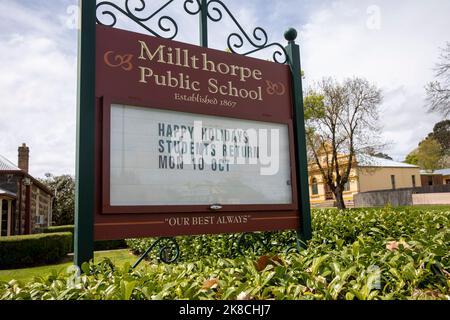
column 118, row 257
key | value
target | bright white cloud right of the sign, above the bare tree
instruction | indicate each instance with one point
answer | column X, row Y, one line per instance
column 398, row 56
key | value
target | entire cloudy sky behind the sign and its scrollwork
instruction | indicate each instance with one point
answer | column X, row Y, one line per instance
column 394, row 44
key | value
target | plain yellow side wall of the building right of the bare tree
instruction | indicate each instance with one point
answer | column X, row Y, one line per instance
column 371, row 179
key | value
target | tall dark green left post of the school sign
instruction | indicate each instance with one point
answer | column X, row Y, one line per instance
column 84, row 202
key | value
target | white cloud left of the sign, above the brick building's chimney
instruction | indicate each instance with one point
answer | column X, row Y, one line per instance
column 38, row 90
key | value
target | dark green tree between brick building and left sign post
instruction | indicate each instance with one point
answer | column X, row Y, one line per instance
column 64, row 198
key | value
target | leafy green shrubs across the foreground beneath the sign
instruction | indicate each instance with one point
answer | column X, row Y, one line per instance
column 356, row 254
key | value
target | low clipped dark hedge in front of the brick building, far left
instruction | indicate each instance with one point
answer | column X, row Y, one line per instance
column 33, row 250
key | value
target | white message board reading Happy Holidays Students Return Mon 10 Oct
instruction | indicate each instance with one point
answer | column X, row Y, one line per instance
column 161, row 157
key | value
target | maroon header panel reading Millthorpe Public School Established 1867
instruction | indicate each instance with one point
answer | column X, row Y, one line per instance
column 179, row 76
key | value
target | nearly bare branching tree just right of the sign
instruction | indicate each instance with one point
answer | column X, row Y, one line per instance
column 343, row 122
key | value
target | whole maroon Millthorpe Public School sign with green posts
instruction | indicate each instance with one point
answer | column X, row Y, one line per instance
column 176, row 139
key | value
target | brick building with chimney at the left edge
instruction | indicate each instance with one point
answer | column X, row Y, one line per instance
column 25, row 203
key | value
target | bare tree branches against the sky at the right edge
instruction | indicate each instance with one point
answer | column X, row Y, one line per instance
column 438, row 91
